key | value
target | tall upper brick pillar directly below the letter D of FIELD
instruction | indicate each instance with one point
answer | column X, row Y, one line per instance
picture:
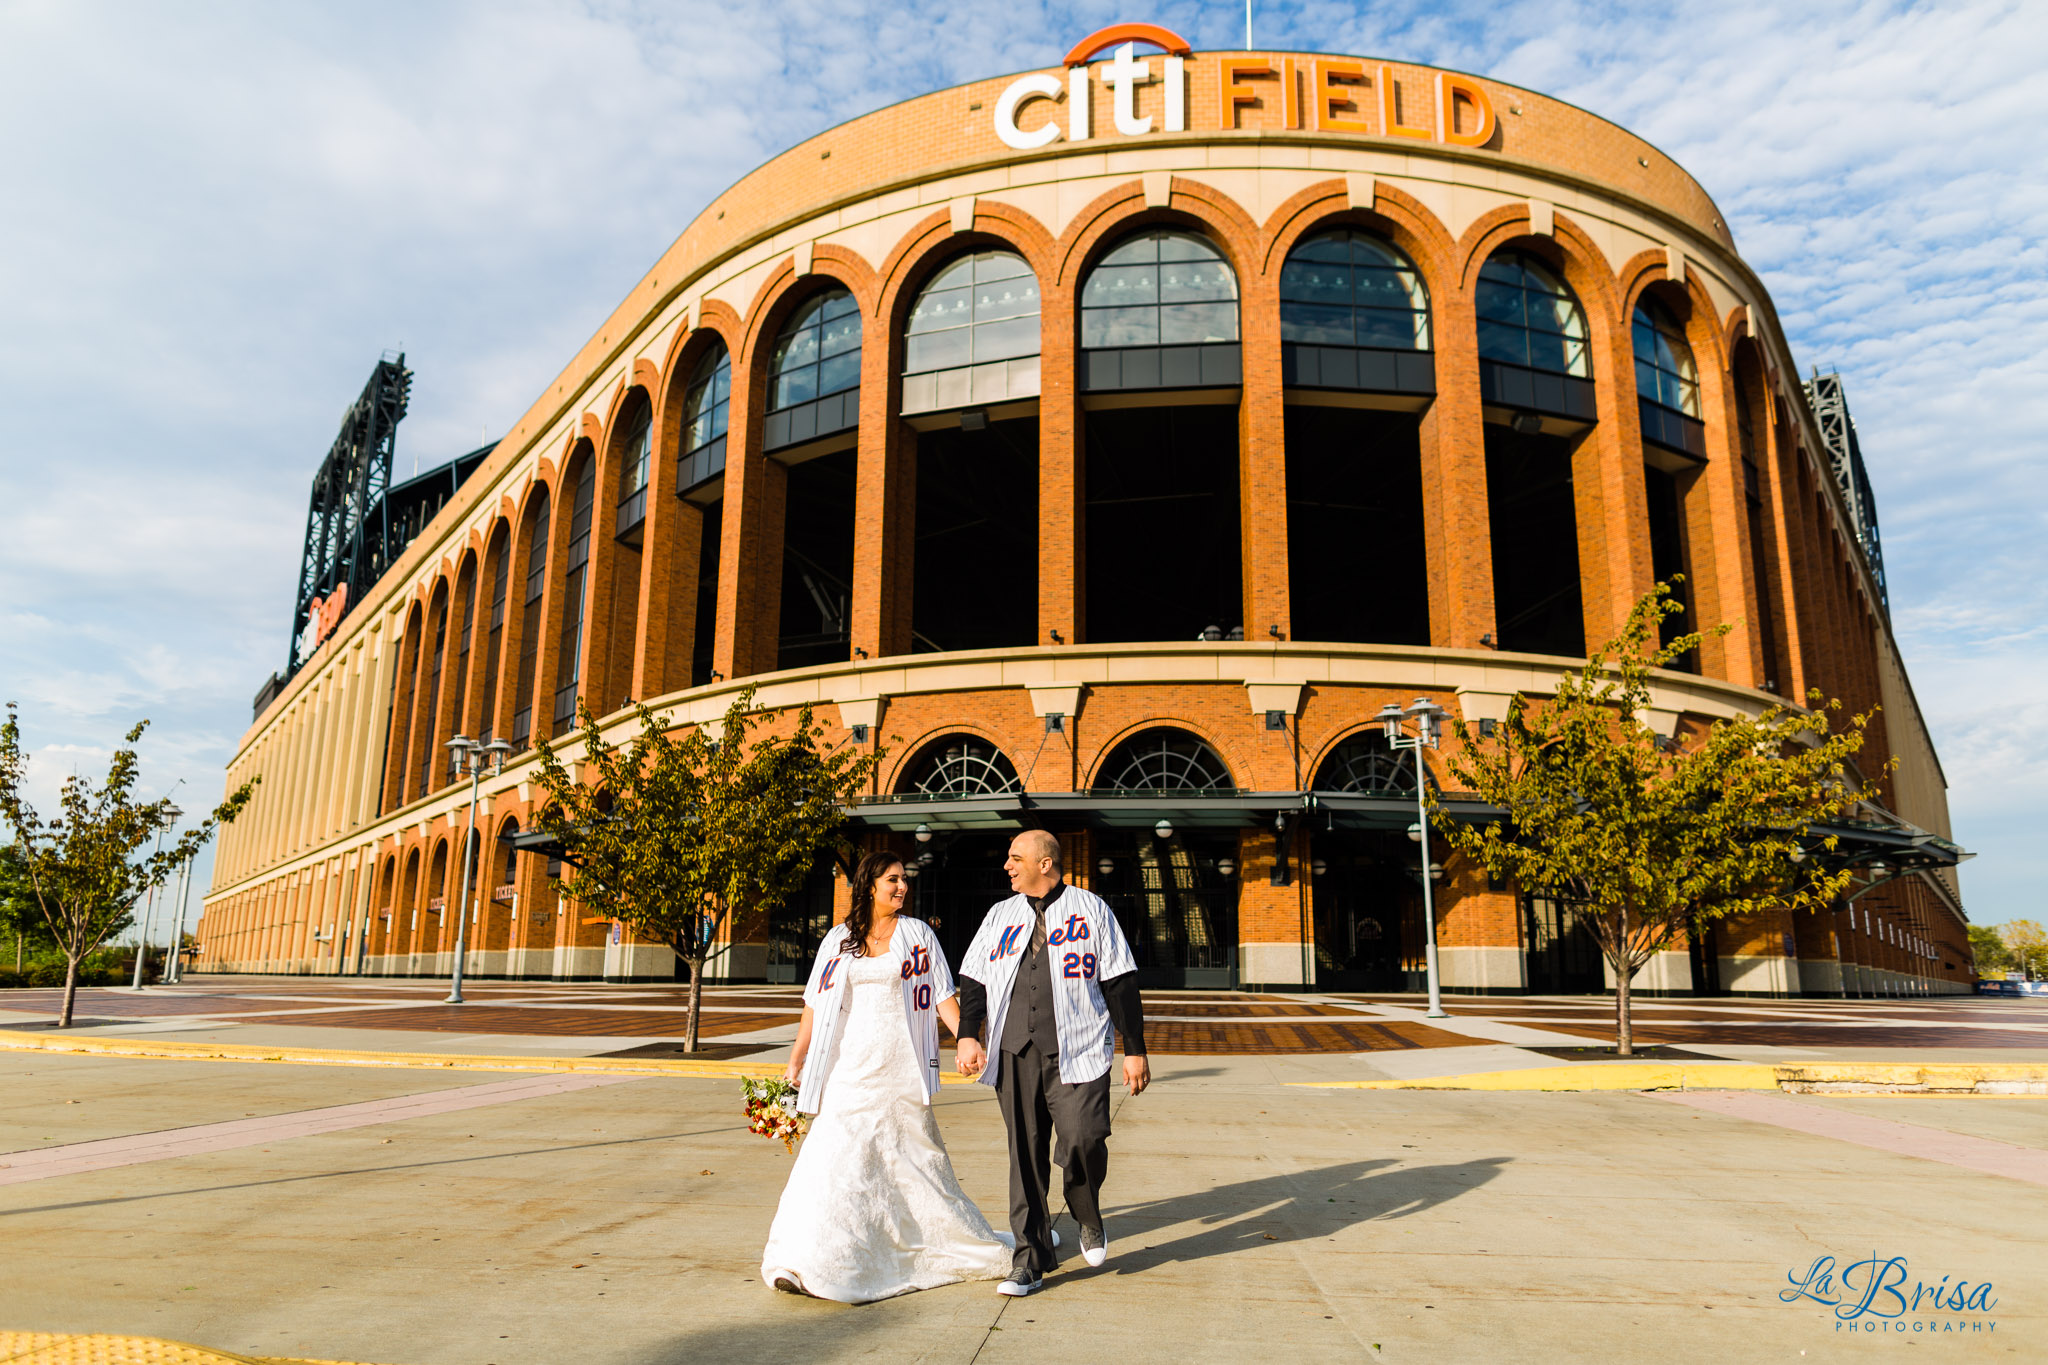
column 1457, row 515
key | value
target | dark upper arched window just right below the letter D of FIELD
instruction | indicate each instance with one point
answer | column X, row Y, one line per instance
column 1531, row 339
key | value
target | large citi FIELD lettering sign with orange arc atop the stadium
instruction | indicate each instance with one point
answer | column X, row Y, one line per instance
column 1326, row 95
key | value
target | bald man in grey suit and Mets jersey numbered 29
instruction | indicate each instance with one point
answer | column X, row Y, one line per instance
column 1052, row 973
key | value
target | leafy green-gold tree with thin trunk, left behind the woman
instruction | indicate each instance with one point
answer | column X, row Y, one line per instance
column 675, row 836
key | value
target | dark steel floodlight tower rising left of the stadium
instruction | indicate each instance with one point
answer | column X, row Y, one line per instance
column 349, row 527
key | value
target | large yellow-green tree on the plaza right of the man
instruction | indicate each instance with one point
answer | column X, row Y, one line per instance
column 1654, row 836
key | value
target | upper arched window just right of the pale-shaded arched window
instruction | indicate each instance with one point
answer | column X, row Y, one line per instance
column 1160, row 312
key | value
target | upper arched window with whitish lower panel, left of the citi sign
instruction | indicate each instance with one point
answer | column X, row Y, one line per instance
column 974, row 335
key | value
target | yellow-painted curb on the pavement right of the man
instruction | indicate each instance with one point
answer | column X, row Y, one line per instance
column 1797, row 1080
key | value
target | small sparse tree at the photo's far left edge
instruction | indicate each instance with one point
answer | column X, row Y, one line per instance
column 89, row 869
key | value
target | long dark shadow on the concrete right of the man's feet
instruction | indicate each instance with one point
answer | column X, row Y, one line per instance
column 1291, row 1208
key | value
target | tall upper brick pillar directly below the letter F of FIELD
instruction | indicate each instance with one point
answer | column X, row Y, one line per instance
column 1263, row 466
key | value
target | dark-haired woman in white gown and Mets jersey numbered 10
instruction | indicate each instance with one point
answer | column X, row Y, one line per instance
column 871, row 1206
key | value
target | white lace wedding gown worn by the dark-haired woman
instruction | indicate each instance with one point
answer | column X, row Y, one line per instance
column 871, row 1206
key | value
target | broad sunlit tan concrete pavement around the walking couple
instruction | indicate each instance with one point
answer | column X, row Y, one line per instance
column 1250, row 1219
